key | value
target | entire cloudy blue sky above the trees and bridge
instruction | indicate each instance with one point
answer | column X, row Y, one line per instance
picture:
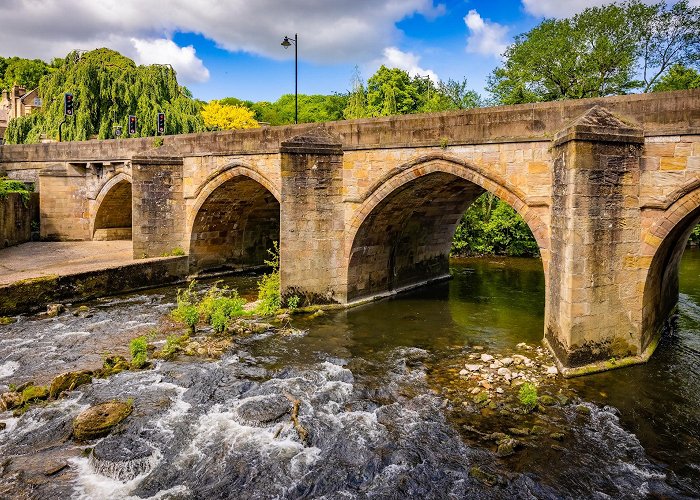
column 223, row 48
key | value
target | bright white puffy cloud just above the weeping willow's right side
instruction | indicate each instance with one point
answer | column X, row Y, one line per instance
column 163, row 51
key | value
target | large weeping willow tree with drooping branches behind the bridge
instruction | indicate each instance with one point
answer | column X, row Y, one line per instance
column 107, row 87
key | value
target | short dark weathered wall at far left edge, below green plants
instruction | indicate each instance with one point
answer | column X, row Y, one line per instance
column 16, row 217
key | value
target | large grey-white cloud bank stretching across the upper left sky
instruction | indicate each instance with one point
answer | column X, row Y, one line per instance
column 329, row 30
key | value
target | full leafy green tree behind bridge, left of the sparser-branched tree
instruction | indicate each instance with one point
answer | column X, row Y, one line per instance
column 590, row 55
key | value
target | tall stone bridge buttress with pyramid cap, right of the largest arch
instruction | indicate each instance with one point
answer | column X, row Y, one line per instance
column 593, row 312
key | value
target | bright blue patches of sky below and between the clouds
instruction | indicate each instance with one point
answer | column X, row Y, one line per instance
column 439, row 42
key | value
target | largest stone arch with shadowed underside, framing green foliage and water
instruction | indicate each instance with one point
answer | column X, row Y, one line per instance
column 402, row 232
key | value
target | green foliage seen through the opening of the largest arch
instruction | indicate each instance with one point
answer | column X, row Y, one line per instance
column 491, row 226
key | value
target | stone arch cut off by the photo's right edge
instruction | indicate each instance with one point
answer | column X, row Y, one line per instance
column 664, row 244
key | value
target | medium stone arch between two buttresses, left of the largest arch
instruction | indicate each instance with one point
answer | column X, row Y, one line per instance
column 234, row 220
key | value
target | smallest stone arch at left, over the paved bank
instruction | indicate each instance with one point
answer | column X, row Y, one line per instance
column 113, row 213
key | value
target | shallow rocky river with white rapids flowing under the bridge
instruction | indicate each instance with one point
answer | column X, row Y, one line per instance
column 380, row 396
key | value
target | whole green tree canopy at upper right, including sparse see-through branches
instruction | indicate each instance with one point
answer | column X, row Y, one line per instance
column 600, row 51
